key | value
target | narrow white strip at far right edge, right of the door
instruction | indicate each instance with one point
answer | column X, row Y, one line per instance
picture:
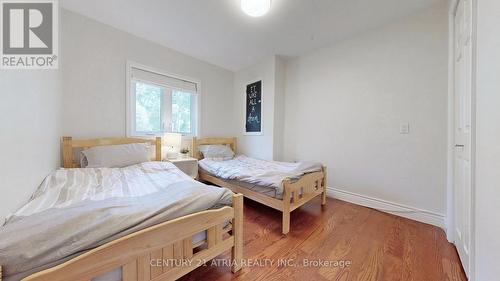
column 487, row 186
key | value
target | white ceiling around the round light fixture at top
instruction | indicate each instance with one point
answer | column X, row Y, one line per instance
column 217, row 31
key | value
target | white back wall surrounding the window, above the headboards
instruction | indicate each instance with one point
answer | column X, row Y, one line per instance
column 94, row 79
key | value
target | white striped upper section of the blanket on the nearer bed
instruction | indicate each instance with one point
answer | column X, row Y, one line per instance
column 66, row 187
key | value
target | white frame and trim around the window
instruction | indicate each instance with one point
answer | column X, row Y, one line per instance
column 130, row 101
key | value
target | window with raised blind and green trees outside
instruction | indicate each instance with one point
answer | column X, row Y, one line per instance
column 158, row 104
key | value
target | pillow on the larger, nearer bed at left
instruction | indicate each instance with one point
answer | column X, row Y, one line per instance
column 115, row 156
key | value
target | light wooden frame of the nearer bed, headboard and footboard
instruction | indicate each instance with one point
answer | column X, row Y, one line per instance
column 161, row 252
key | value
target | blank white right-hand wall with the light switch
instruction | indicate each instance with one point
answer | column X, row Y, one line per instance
column 345, row 103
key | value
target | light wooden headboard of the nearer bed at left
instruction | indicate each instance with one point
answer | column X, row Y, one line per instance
column 68, row 144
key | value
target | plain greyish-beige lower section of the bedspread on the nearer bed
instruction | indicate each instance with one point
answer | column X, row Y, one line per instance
column 51, row 236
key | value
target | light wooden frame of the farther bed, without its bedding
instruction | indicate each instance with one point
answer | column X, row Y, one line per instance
column 300, row 191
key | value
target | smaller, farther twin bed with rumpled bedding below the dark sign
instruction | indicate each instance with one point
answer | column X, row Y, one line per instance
column 279, row 185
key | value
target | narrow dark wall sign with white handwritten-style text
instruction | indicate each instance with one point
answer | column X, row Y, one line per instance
column 253, row 123
